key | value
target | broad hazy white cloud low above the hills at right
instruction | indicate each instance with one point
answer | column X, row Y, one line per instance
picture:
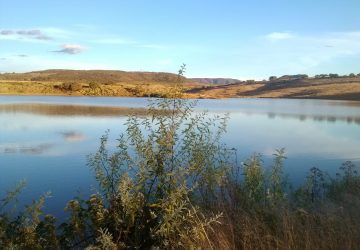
column 303, row 53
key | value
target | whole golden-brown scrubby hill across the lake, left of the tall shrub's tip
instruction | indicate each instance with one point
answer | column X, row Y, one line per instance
column 92, row 83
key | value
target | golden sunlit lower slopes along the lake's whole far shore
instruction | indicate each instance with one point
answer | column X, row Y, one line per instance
column 345, row 88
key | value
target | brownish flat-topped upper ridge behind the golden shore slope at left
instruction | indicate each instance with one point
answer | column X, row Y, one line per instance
column 95, row 76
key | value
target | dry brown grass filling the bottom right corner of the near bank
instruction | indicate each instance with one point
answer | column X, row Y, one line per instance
column 292, row 230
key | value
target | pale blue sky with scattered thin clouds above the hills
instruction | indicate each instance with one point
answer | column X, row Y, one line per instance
column 243, row 39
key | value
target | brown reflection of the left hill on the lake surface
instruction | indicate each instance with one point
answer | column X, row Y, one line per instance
column 68, row 110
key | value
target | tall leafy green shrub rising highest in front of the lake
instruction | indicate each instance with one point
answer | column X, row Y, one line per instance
column 160, row 164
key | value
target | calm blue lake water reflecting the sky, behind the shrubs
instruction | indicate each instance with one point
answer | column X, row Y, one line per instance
column 45, row 140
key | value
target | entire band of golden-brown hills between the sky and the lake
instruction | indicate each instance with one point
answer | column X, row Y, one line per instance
column 144, row 84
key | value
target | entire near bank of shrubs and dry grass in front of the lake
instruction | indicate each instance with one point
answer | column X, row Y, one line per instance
column 170, row 183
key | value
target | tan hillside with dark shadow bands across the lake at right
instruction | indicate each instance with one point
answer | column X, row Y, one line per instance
column 339, row 88
